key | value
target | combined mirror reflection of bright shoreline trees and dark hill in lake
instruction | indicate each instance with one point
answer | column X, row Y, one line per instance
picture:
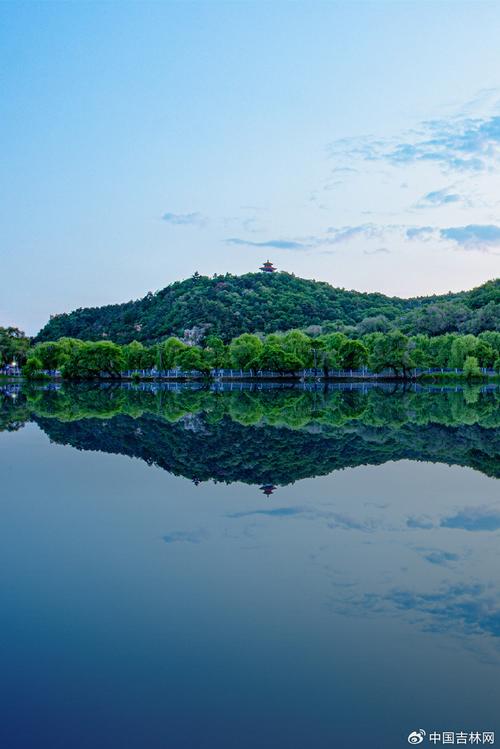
column 272, row 436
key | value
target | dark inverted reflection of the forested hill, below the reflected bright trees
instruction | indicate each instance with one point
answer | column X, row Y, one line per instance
column 264, row 455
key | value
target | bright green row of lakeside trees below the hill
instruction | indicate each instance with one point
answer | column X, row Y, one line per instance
column 285, row 353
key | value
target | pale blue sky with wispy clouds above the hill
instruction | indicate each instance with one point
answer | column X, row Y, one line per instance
column 357, row 143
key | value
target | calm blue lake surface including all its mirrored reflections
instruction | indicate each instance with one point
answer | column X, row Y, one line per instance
column 279, row 568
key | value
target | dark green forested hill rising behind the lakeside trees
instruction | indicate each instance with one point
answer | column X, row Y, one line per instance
column 267, row 302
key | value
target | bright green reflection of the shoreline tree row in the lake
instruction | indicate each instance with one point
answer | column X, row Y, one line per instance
column 292, row 407
